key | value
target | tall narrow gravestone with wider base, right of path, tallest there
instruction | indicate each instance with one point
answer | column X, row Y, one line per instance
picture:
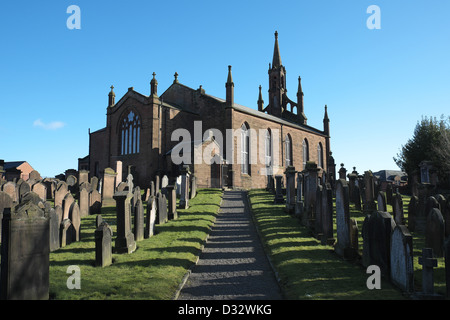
column 343, row 245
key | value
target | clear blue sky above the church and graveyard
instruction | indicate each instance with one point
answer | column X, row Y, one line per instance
column 377, row 84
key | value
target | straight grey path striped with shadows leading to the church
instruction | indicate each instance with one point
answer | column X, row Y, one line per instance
column 233, row 264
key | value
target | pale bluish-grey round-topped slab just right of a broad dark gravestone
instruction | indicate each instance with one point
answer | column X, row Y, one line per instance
column 402, row 268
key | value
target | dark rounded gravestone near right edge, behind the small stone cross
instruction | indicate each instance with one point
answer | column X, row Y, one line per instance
column 435, row 233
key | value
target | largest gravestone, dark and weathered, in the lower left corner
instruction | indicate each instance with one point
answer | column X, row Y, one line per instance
column 25, row 253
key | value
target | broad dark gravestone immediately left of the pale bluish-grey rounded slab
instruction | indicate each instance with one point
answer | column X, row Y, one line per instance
column 376, row 233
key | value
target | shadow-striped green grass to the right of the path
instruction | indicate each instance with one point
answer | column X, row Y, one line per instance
column 309, row 270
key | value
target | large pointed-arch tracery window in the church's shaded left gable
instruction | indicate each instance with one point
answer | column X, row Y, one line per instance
column 130, row 131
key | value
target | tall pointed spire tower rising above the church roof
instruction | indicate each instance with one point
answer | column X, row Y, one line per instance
column 277, row 82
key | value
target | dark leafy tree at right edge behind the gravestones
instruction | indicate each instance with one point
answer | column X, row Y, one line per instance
column 431, row 141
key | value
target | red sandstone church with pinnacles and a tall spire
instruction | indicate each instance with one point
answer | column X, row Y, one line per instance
column 139, row 130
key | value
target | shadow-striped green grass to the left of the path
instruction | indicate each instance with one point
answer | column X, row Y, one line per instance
column 154, row 271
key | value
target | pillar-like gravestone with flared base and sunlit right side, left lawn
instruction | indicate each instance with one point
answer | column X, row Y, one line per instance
column 125, row 239
